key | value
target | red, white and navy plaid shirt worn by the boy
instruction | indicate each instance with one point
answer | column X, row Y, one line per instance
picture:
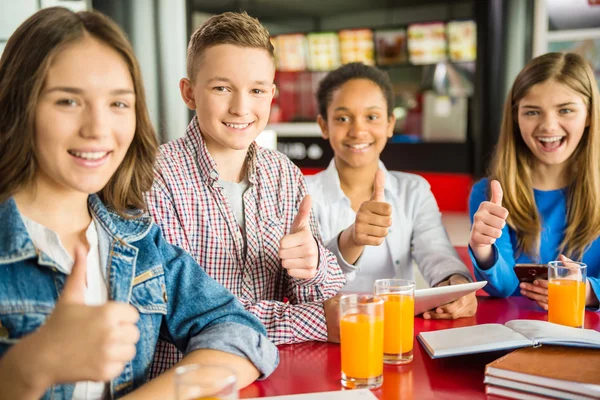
column 194, row 214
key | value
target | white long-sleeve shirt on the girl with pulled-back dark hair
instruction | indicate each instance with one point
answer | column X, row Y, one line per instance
column 417, row 232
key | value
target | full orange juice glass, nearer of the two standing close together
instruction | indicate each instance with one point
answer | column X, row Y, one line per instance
column 361, row 341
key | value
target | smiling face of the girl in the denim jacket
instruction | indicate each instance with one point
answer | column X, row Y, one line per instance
column 85, row 118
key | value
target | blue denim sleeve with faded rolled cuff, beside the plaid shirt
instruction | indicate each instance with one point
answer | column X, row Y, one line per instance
column 202, row 314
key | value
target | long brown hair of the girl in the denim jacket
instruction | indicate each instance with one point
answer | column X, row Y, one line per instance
column 23, row 69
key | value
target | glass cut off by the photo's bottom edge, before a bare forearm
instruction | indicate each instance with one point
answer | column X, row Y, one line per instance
column 205, row 382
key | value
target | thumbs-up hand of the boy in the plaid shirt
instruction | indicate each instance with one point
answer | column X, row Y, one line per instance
column 298, row 249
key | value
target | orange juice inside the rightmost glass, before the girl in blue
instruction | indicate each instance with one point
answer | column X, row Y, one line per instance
column 566, row 302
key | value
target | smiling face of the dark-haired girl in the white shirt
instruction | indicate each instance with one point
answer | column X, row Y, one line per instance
column 357, row 124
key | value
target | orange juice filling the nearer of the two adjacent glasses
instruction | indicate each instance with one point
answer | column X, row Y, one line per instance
column 361, row 338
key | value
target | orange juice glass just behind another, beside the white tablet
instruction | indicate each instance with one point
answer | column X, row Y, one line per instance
column 399, row 308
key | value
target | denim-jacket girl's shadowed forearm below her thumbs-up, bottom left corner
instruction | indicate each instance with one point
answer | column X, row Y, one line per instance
column 21, row 372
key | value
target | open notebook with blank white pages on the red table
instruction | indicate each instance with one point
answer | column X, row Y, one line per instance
column 514, row 334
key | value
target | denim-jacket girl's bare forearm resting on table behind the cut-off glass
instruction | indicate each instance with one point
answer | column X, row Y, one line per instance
column 163, row 386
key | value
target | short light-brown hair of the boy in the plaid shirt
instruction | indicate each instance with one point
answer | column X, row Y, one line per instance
column 238, row 29
